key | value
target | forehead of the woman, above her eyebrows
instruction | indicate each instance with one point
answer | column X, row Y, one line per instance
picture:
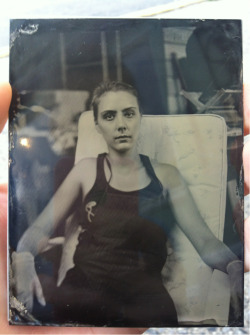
column 117, row 99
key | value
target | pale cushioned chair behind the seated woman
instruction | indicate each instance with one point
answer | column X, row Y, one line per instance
column 197, row 146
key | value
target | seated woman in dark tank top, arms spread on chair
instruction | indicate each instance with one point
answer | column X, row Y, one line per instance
column 128, row 207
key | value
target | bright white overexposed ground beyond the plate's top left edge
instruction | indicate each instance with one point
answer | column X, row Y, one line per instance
column 68, row 8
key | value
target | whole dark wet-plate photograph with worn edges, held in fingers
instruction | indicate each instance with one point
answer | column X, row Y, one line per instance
column 125, row 173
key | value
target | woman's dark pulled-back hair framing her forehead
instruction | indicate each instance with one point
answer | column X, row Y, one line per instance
column 110, row 86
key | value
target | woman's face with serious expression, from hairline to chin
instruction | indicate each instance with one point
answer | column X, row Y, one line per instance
column 118, row 120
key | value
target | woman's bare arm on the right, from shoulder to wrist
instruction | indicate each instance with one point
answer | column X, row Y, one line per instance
column 213, row 252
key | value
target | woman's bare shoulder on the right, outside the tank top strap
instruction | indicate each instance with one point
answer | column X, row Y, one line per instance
column 168, row 174
